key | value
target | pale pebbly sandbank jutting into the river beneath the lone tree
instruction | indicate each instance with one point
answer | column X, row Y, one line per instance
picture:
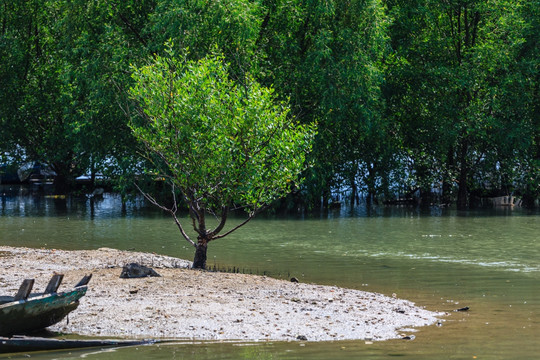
column 199, row 305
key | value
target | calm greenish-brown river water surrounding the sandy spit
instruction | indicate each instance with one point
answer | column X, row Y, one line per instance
column 441, row 259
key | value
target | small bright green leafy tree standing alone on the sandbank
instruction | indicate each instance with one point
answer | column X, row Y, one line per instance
column 220, row 145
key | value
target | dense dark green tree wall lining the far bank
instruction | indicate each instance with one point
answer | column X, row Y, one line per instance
column 434, row 98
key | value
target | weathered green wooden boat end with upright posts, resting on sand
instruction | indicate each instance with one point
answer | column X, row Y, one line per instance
column 27, row 312
